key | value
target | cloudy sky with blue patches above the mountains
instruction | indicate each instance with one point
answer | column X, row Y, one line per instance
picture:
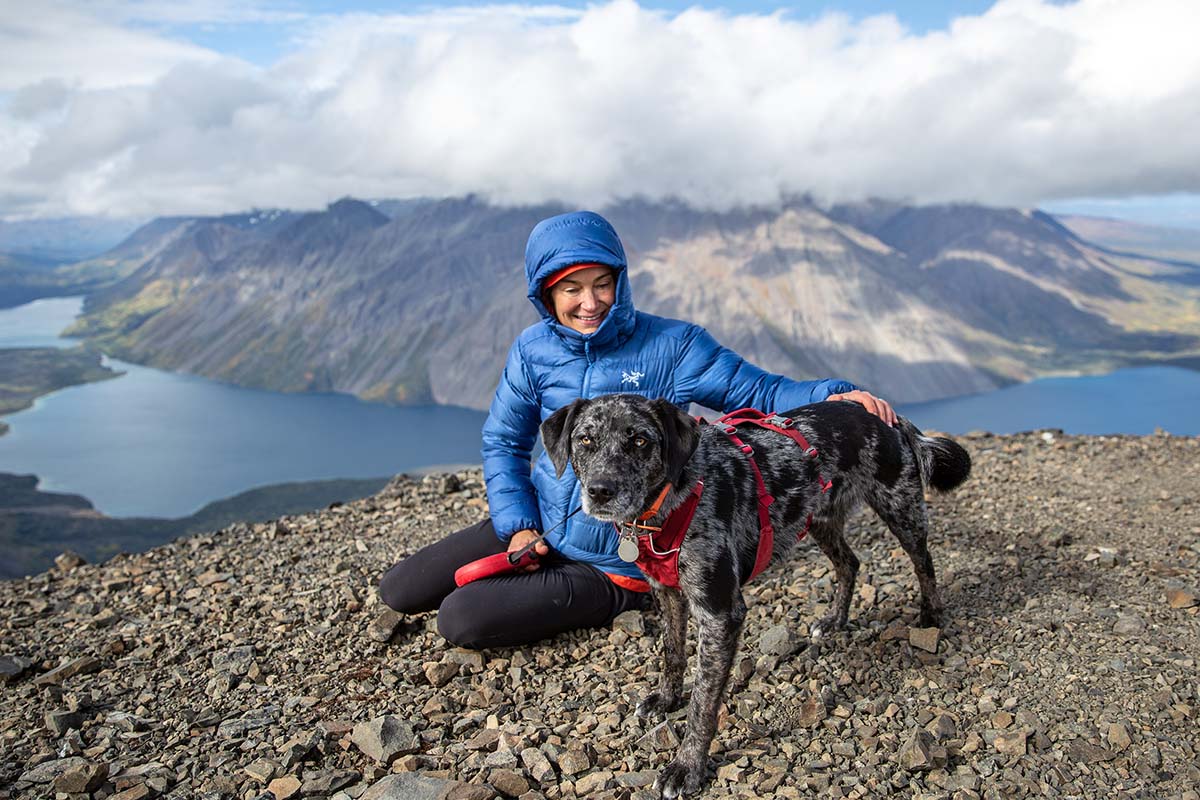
column 140, row 109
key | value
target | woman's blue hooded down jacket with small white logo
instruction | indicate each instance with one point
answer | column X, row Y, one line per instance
column 551, row 365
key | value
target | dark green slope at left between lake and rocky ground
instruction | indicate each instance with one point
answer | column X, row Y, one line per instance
column 35, row 526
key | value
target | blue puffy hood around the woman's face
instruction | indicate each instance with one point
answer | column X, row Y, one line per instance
column 579, row 238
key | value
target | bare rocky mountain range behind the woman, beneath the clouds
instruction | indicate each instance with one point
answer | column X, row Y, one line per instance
column 421, row 304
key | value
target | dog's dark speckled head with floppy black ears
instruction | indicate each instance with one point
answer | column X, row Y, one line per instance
column 623, row 448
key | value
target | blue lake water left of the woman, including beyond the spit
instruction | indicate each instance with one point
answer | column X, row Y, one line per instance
column 154, row 443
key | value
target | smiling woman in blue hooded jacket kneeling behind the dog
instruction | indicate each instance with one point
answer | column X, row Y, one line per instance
column 591, row 341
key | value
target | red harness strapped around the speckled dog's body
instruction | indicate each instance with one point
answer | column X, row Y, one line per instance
column 658, row 549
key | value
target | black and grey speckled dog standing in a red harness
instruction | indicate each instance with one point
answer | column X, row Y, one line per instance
column 638, row 461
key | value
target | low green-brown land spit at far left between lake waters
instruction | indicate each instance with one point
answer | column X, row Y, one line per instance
column 28, row 374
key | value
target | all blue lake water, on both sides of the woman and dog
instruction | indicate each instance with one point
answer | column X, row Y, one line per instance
column 154, row 443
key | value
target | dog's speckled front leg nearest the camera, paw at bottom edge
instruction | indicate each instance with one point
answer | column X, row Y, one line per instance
column 718, row 645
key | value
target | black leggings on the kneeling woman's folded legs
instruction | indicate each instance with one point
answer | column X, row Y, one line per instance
column 508, row 610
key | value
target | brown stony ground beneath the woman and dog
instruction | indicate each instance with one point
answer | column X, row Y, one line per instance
column 256, row 663
